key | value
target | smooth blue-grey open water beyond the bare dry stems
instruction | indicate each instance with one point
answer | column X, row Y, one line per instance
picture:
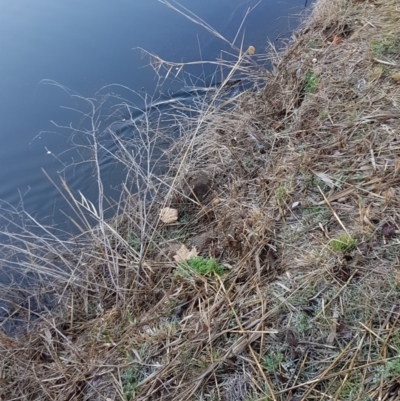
column 87, row 44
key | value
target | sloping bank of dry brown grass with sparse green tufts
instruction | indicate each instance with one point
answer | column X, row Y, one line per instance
column 277, row 278
